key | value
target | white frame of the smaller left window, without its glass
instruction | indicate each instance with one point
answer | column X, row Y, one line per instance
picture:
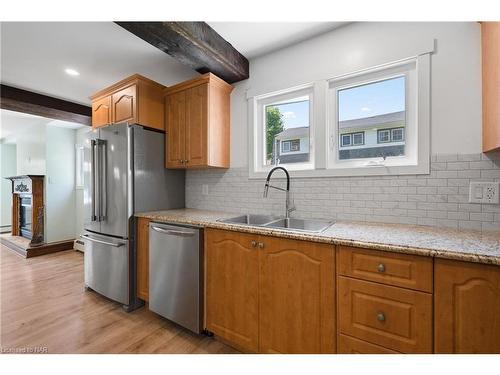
column 258, row 136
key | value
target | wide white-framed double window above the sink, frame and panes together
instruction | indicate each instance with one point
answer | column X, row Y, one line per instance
column 371, row 122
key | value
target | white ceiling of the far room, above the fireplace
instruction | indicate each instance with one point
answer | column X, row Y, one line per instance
column 14, row 125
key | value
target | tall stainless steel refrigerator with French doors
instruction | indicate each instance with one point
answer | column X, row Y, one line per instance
column 124, row 174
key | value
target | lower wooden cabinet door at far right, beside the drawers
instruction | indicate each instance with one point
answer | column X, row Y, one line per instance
column 467, row 307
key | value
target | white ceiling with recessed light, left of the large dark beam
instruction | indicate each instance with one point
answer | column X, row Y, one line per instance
column 35, row 54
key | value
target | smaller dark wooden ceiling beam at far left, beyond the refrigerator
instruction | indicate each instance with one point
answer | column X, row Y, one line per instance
column 15, row 99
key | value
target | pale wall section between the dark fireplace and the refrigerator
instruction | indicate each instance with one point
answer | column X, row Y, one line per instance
column 60, row 183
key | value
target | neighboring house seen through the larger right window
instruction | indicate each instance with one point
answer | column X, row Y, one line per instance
column 376, row 136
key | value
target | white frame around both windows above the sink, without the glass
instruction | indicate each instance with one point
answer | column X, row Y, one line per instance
column 323, row 130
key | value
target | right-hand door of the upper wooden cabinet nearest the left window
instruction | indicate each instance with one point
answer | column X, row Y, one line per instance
column 196, row 126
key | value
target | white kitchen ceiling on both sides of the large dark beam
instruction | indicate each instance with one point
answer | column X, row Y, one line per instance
column 34, row 55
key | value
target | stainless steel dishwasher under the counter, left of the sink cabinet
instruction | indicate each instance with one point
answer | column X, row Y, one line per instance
column 174, row 274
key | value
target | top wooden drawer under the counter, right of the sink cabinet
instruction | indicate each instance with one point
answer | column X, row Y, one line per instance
column 407, row 271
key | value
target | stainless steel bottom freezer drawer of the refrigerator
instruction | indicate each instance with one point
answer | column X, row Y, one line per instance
column 107, row 266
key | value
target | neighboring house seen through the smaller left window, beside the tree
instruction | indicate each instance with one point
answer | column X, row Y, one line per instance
column 292, row 145
